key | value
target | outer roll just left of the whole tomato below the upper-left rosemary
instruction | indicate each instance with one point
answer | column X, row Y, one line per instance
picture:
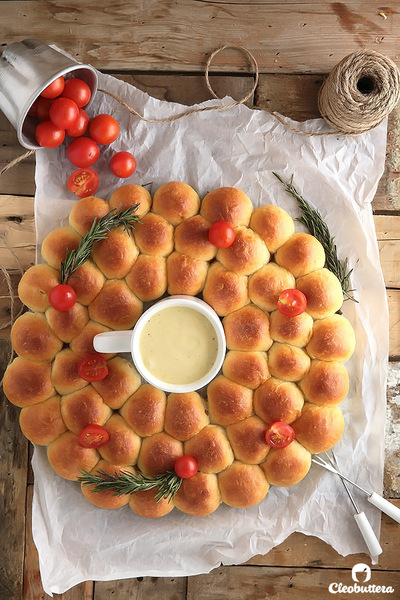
column 35, row 285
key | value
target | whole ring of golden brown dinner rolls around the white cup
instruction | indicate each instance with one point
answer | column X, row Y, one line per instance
column 277, row 368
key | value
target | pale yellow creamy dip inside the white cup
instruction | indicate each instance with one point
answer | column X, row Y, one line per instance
column 178, row 345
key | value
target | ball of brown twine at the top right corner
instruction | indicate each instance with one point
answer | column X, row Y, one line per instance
column 360, row 92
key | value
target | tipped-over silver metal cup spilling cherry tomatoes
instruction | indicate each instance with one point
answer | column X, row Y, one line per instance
column 26, row 69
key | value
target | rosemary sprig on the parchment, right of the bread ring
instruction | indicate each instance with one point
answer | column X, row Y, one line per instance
column 314, row 222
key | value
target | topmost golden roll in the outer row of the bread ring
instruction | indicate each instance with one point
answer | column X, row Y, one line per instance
column 176, row 201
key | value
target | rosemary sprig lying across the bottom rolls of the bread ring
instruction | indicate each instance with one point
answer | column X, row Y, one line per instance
column 123, row 482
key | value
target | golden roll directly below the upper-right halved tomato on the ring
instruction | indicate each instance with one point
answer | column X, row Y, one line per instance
column 291, row 330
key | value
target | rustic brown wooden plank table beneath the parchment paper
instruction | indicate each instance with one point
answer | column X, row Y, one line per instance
column 161, row 47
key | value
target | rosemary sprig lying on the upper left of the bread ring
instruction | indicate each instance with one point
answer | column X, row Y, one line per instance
column 98, row 231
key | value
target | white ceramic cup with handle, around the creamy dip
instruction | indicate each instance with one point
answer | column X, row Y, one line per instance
column 128, row 341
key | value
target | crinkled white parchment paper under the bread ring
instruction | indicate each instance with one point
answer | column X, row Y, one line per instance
column 236, row 147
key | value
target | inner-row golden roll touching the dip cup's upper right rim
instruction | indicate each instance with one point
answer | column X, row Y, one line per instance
column 224, row 290
